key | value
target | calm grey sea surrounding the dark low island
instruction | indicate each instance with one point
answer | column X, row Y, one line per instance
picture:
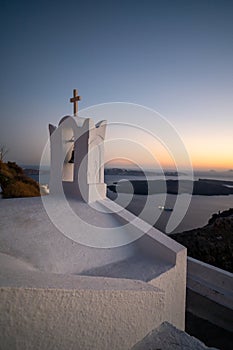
column 198, row 212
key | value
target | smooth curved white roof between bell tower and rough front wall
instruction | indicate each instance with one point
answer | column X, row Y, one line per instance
column 27, row 234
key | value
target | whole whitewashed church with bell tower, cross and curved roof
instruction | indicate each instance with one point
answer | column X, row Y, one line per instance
column 78, row 271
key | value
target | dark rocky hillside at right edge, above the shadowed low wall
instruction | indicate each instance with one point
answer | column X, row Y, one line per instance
column 212, row 243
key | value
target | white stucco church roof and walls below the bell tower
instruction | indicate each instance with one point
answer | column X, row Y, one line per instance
column 57, row 293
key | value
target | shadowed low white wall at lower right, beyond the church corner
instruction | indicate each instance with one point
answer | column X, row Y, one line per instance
column 210, row 293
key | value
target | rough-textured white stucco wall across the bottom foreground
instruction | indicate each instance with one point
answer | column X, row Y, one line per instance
column 101, row 314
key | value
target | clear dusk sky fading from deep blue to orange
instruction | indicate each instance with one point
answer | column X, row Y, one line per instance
column 175, row 57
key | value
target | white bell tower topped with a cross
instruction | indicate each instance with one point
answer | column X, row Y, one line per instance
column 84, row 176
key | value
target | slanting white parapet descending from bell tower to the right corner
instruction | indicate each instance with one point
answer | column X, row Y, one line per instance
column 155, row 244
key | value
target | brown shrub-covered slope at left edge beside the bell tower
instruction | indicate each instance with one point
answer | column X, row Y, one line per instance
column 14, row 183
